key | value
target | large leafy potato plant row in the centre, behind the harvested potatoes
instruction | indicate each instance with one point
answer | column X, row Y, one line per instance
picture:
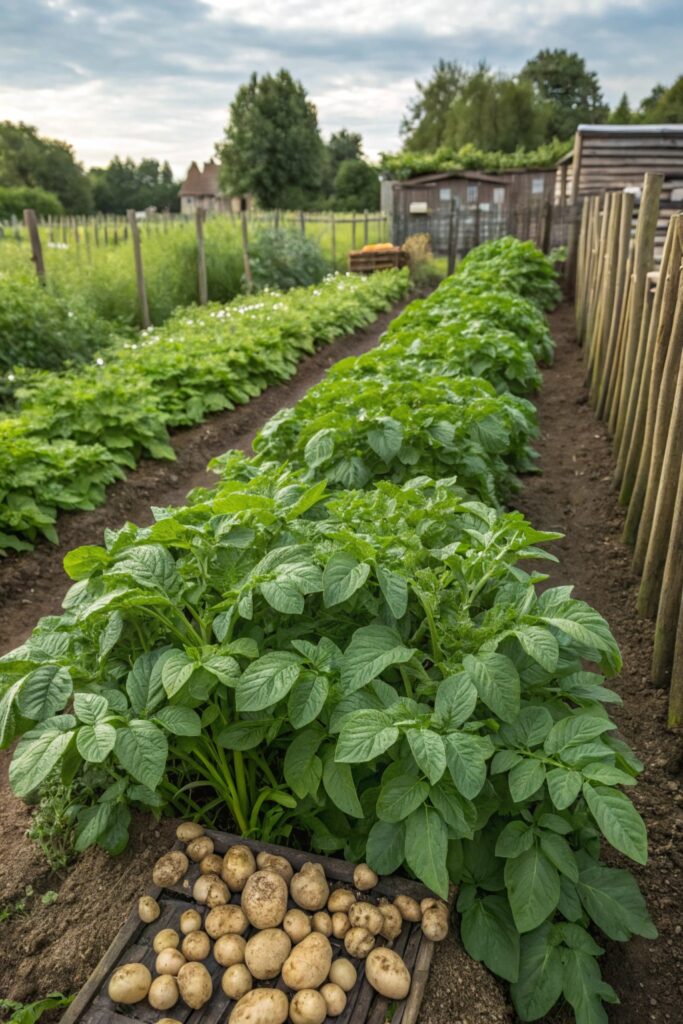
column 352, row 652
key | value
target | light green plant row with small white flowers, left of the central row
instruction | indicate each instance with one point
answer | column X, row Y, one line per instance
column 76, row 433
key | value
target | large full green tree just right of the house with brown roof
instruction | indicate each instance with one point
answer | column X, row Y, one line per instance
column 273, row 147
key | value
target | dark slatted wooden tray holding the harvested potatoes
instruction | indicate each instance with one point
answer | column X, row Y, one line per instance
column 134, row 945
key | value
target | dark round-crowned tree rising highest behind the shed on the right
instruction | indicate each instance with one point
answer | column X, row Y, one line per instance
column 573, row 92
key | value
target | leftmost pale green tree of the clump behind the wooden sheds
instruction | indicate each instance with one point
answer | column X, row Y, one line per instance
column 424, row 126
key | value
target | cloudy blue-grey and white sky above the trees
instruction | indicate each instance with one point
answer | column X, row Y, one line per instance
column 156, row 77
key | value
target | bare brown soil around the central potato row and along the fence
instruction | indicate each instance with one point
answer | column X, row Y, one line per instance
column 55, row 948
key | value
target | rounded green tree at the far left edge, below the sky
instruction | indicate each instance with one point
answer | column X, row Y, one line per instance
column 27, row 159
